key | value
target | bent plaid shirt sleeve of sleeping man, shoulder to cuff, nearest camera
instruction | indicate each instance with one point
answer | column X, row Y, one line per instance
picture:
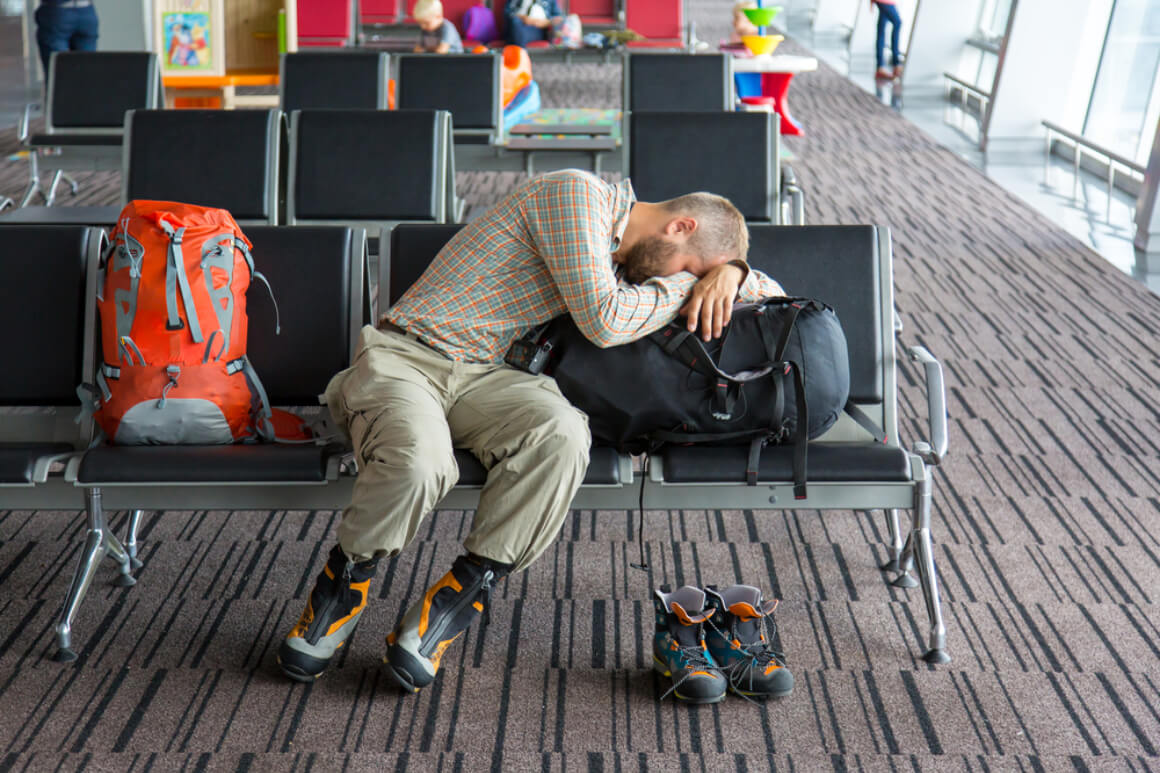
column 569, row 222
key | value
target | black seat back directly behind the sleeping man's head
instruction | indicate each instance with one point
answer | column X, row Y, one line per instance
column 735, row 155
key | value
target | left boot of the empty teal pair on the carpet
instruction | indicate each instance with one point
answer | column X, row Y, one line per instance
column 679, row 647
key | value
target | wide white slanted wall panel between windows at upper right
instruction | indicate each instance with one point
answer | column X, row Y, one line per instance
column 1053, row 54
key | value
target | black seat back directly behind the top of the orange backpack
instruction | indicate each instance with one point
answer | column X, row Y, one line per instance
column 214, row 158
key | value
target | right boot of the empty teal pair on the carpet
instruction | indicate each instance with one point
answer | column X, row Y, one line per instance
column 739, row 641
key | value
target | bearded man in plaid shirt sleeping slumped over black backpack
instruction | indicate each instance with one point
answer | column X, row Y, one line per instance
column 432, row 378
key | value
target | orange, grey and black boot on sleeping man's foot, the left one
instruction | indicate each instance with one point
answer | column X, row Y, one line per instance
column 331, row 616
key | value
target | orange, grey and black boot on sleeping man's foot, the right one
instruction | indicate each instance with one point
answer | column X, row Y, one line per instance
column 417, row 645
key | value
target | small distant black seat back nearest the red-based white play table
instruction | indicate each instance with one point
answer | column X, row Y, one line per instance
column 679, row 82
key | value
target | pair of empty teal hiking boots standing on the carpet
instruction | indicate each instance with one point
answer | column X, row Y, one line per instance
column 709, row 642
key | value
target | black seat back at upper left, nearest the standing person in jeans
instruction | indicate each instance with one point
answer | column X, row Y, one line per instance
column 90, row 92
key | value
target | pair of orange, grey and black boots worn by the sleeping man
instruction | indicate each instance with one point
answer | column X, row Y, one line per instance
column 416, row 646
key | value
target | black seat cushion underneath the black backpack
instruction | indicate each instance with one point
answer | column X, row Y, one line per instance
column 826, row 464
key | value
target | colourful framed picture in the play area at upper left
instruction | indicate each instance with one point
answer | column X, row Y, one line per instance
column 190, row 37
